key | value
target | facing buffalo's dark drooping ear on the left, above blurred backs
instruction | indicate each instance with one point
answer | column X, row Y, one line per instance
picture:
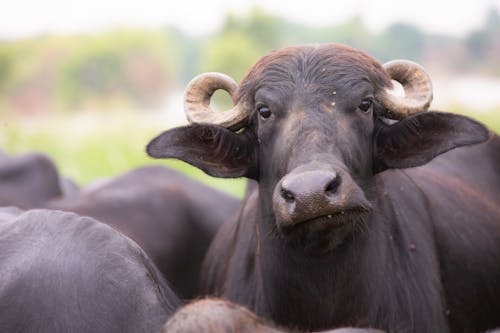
column 214, row 149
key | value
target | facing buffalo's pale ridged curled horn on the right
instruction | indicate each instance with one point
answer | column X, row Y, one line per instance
column 417, row 87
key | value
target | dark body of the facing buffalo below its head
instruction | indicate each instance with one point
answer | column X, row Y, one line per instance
column 428, row 257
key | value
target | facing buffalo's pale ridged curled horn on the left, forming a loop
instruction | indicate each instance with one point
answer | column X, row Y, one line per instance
column 197, row 101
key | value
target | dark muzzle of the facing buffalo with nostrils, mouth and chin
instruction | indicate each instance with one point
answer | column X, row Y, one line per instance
column 318, row 207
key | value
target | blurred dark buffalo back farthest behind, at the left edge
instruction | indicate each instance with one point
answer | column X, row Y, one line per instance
column 29, row 180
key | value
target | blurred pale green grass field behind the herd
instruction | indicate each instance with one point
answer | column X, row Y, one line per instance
column 91, row 146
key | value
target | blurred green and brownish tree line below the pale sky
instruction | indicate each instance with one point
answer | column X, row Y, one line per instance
column 137, row 67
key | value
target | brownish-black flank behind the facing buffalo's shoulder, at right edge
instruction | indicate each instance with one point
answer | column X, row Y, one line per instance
column 462, row 190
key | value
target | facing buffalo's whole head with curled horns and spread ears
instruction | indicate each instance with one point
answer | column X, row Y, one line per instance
column 313, row 124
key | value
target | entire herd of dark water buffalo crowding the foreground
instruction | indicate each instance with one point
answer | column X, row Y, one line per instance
column 363, row 212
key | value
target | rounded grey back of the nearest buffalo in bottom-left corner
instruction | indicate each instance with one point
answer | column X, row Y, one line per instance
column 61, row 272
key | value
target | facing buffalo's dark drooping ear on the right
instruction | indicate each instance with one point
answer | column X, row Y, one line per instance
column 419, row 138
